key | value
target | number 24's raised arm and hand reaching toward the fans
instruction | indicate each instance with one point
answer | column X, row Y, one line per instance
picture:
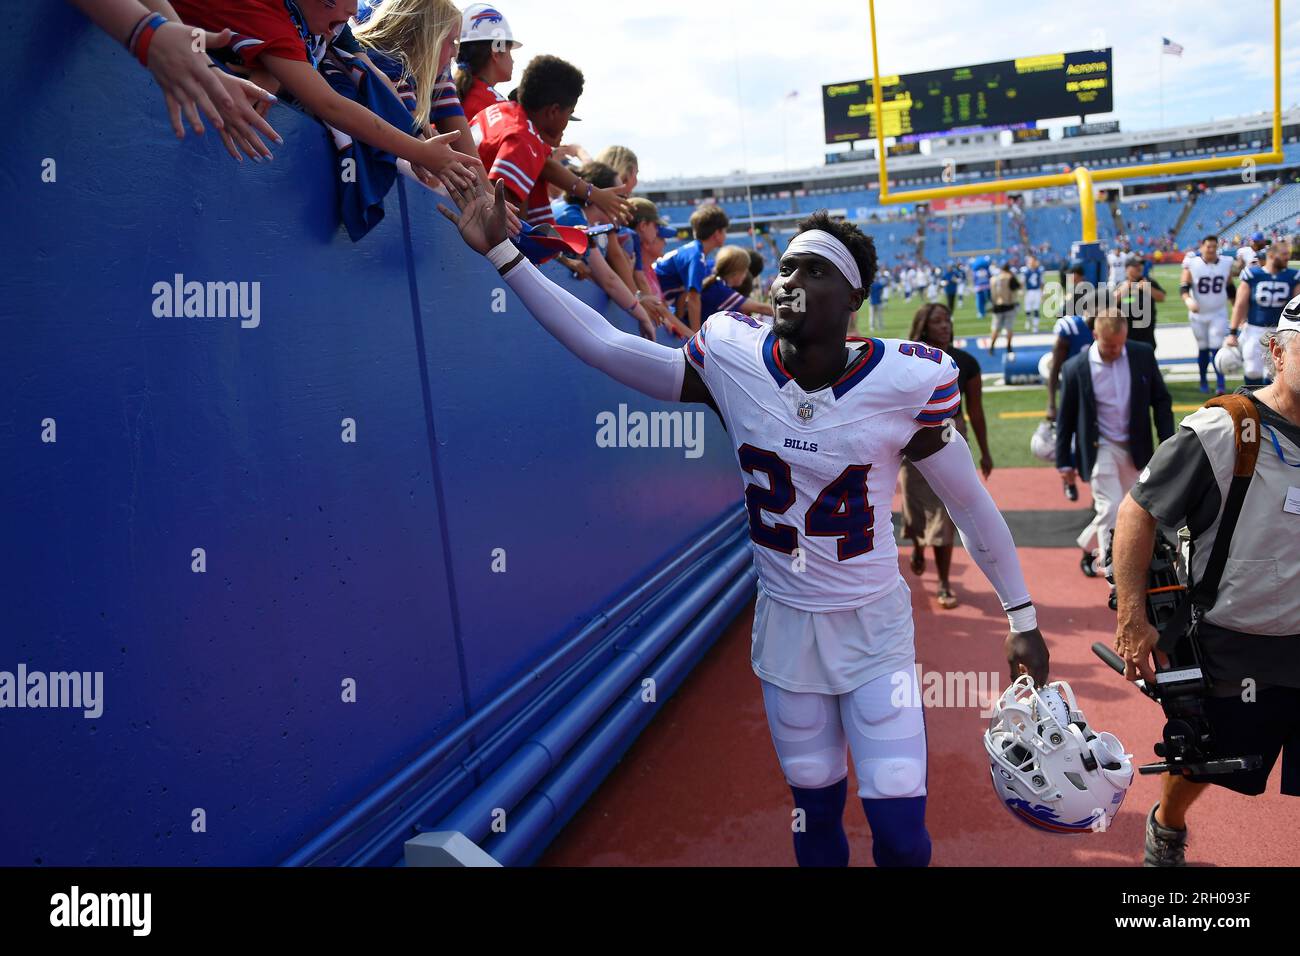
column 648, row 367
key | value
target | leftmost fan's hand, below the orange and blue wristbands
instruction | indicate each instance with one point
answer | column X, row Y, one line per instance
column 187, row 76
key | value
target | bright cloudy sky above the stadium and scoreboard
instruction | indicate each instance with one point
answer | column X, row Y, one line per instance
column 703, row 89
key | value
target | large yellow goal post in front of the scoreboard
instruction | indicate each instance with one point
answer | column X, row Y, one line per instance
column 1080, row 176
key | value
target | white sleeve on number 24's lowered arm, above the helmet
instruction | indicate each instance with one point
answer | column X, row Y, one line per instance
column 952, row 474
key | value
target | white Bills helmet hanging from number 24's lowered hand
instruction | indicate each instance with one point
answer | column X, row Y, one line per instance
column 1050, row 769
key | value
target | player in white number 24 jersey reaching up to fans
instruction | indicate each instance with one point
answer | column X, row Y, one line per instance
column 820, row 432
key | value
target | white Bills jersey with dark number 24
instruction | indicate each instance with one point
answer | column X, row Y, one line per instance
column 820, row 468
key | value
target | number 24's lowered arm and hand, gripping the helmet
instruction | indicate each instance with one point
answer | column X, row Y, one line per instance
column 944, row 460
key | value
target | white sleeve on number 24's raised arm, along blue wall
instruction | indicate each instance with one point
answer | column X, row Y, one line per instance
column 648, row 367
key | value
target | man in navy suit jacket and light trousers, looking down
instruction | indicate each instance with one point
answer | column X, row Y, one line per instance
column 1110, row 393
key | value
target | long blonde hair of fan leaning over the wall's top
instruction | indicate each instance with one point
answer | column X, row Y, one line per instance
column 413, row 31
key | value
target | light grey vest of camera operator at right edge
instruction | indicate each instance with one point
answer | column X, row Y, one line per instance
column 1260, row 590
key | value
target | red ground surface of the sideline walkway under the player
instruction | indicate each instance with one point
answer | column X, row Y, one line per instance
column 703, row 788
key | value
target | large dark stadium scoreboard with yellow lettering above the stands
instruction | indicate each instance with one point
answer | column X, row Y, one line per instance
column 996, row 96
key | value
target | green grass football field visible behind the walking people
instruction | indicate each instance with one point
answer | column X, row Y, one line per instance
column 1013, row 414
